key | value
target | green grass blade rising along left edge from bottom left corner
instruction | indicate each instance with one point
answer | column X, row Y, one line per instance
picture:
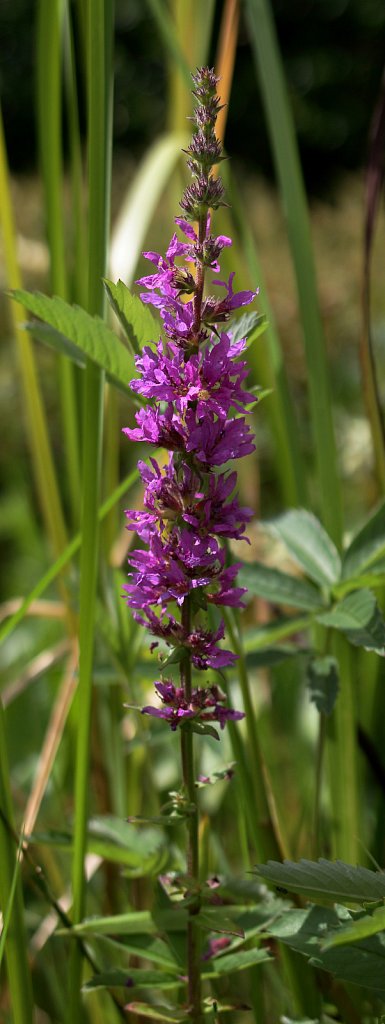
column 16, row 945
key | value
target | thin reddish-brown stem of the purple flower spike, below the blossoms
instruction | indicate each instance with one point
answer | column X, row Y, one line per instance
column 194, row 951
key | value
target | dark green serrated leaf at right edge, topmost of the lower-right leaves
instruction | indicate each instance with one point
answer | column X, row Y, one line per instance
column 326, row 880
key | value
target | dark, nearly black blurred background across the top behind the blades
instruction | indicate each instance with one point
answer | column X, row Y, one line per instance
column 333, row 54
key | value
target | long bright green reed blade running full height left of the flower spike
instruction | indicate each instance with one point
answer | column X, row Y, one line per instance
column 100, row 28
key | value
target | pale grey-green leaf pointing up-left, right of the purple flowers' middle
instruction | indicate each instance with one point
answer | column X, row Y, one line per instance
column 310, row 545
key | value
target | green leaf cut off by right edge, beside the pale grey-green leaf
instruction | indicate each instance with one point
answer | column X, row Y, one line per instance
column 367, row 550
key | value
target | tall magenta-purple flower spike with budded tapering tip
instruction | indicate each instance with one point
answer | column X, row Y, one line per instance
column 197, row 410
